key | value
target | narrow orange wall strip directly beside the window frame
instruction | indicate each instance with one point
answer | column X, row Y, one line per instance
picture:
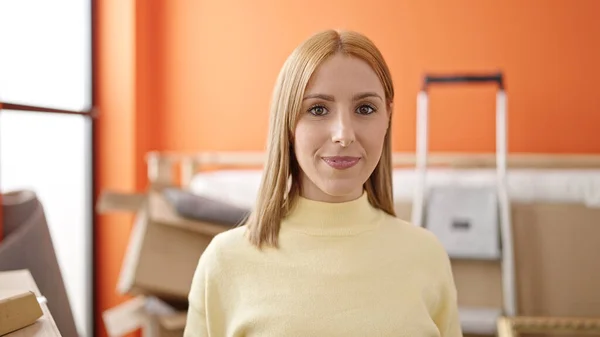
column 115, row 139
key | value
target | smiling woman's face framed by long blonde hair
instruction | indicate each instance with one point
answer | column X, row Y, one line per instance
column 340, row 133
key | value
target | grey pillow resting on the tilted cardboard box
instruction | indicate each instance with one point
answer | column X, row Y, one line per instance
column 201, row 208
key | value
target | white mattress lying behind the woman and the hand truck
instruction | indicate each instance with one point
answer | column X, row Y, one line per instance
column 240, row 187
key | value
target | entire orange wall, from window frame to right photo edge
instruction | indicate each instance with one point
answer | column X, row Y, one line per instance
column 198, row 75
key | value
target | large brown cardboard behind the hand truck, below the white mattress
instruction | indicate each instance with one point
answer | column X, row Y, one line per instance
column 556, row 261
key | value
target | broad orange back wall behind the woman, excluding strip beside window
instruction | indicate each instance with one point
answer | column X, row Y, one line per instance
column 220, row 60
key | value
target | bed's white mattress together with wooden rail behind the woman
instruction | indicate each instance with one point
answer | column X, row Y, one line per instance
column 546, row 178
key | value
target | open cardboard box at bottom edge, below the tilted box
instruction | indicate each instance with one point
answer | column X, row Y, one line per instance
column 154, row 317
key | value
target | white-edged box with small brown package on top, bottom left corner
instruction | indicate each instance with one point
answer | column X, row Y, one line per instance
column 21, row 313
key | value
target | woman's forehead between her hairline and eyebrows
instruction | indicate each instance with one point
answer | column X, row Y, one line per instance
column 341, row 74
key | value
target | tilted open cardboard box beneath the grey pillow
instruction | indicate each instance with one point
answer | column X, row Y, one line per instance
column 164, row 248
